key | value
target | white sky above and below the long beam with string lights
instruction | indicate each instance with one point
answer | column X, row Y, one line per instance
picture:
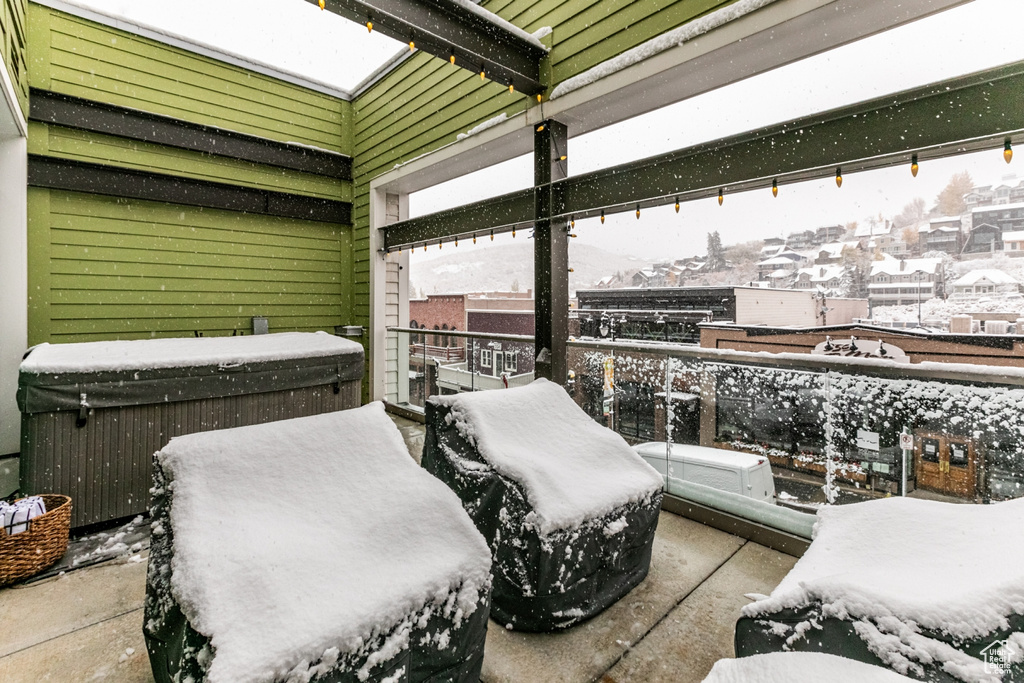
column 979, row 35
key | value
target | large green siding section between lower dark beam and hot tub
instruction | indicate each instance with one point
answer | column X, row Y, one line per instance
column 108, row 269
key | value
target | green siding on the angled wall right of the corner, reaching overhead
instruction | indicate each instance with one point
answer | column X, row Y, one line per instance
column 425, row 103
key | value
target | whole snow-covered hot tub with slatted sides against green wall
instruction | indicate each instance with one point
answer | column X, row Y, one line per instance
column 95, row 413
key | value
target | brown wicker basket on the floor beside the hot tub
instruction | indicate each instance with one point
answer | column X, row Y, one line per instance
column 28, row 553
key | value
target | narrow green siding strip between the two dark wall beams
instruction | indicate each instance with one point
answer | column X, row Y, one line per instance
column 112, row 151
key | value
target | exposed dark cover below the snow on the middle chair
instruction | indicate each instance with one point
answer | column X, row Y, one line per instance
column 541, row 582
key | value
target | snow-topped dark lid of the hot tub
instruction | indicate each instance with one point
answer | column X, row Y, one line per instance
column 112, row 374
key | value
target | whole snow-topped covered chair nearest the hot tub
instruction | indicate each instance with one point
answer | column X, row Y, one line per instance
column 312, row 549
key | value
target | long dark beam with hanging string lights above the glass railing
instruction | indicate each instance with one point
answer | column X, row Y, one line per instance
column 973, row 113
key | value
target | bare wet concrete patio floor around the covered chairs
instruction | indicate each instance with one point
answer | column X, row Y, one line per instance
column 88, row 624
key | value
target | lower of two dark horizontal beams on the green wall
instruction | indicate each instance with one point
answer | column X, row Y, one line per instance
column 78, row 177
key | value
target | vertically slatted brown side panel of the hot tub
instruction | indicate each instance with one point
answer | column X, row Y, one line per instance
column 107, row 466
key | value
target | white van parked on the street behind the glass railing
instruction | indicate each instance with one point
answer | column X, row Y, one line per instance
column 727, row 471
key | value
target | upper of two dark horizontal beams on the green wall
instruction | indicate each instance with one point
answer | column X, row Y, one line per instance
column 133, row 124
